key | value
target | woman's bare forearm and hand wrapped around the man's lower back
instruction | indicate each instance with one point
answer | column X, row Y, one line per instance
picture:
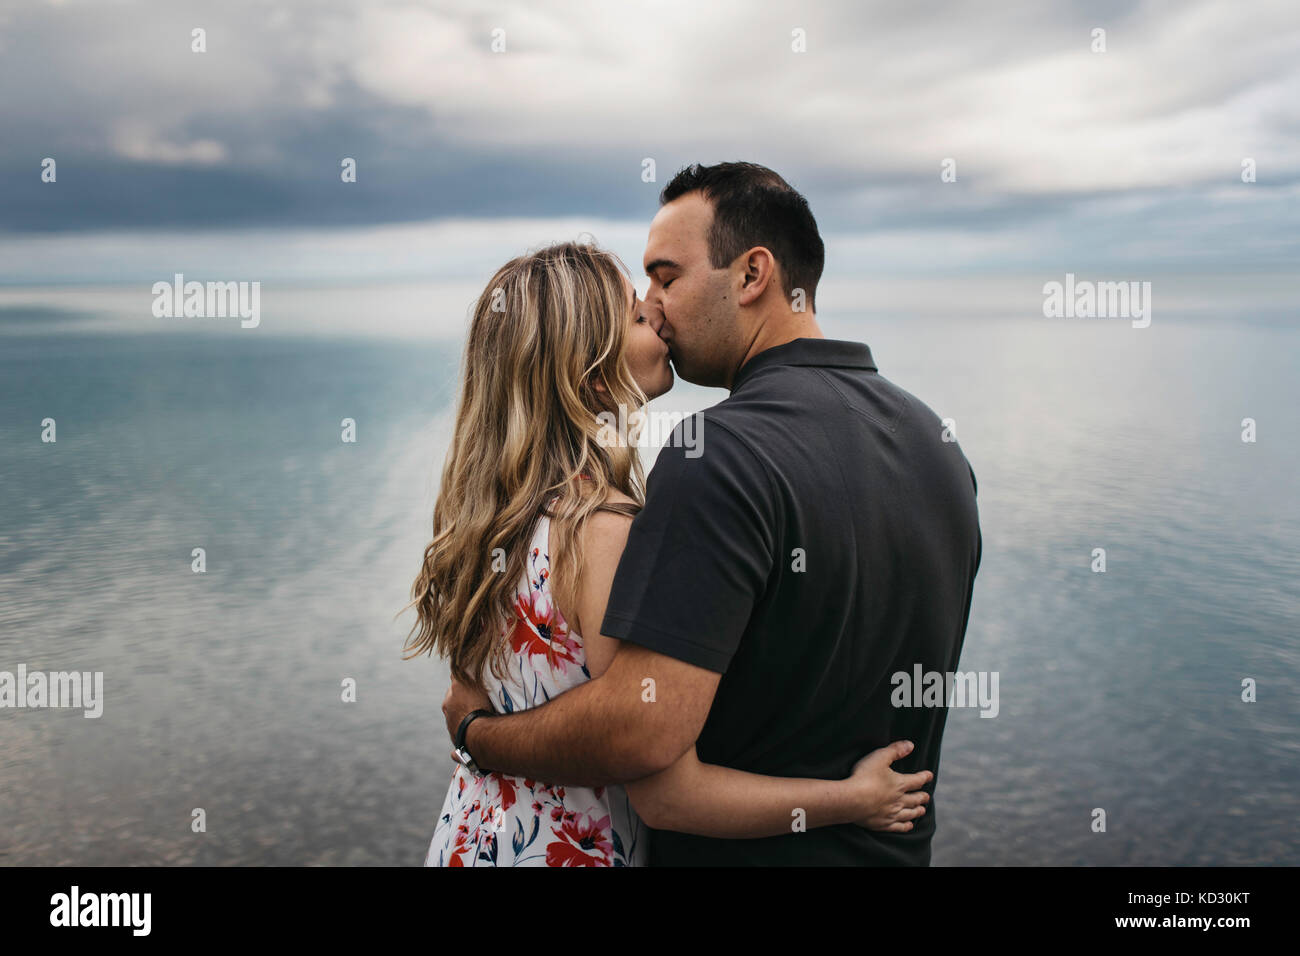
column 709, row 801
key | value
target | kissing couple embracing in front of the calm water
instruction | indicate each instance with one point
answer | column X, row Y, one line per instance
column 694, row 668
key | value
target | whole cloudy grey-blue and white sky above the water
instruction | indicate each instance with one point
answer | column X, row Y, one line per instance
column 1126, row 161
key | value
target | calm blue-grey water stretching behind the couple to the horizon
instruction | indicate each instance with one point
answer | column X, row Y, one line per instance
column 1117, row 691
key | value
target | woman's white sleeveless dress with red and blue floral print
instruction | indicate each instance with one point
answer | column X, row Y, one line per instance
column 510, row 821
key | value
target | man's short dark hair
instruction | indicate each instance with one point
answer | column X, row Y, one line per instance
column 753, row 206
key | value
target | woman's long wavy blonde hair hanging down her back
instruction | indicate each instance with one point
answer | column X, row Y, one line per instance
column 545, row 330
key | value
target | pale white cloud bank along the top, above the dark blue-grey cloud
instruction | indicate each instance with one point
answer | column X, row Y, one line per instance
column 1012, row 92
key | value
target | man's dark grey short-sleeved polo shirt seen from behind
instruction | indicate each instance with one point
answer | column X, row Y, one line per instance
column 825, row 539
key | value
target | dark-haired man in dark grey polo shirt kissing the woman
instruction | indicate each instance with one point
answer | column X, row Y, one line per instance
column 826, row 540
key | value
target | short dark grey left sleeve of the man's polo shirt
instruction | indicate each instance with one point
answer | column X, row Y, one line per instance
column 700, row 555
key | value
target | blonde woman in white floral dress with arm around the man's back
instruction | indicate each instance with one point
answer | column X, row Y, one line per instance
column 531, row 520
